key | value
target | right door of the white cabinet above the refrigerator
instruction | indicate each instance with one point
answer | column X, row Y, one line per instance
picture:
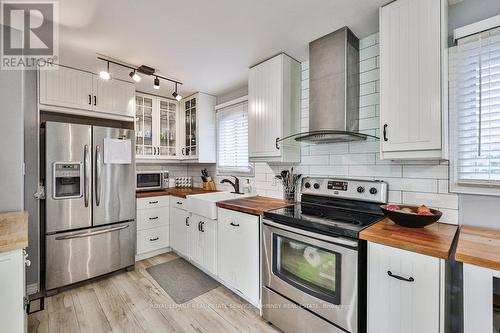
column 113, row 96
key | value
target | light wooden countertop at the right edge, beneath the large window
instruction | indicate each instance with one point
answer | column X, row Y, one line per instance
column 479, row 246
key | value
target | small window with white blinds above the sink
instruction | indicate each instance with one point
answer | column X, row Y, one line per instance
column 232, row 140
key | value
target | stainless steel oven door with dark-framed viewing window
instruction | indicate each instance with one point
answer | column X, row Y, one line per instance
column 317, row 272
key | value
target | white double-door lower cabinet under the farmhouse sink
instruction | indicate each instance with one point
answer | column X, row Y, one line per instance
column 202, row 235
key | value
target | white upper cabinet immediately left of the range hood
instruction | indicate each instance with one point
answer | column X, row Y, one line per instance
column 274, row 109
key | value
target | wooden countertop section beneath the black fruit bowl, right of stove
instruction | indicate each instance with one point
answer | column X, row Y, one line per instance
column 434, row 240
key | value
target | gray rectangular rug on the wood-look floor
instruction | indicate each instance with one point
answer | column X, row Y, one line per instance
column 181, row 280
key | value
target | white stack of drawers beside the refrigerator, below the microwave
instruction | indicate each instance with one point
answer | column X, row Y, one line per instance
column 153, row 226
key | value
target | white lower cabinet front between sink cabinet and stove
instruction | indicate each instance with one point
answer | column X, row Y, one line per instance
column 238, row 252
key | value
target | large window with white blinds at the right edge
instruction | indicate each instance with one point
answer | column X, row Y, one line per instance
column 475, row 112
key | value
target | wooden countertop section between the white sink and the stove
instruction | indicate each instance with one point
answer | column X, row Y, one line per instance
column 256, row 205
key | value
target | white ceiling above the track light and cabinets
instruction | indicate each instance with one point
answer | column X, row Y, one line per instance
column 207, row 44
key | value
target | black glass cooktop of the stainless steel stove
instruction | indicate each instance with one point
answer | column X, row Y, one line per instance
column 339, row 219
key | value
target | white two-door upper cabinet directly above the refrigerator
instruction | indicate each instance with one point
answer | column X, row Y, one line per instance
column 65, row 87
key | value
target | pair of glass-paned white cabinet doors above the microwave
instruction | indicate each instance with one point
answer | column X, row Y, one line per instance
column 156, row 127
